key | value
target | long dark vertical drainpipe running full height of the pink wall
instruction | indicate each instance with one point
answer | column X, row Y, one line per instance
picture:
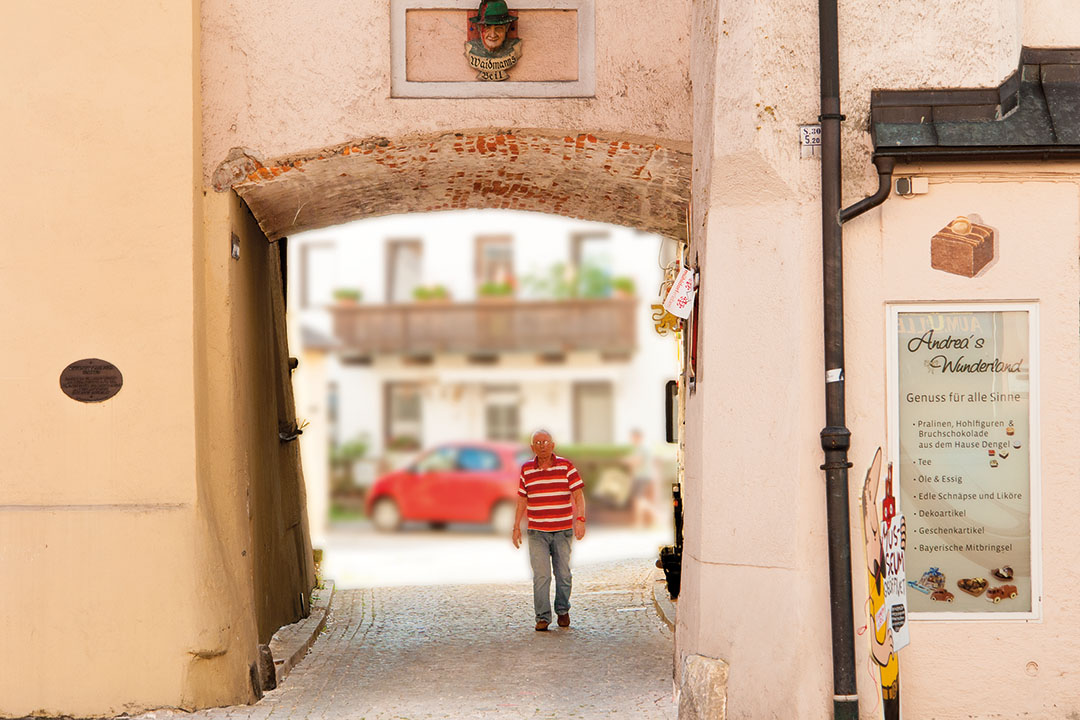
column 835, row 438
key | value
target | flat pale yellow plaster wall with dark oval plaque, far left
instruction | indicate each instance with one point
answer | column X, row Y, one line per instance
column 97, row 500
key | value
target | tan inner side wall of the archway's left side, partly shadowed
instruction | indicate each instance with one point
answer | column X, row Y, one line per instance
column 259, row 552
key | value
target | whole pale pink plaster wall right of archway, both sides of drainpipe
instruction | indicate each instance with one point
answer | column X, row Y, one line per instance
column 755, row 572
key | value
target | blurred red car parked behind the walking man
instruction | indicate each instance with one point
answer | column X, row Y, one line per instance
column 455, row 483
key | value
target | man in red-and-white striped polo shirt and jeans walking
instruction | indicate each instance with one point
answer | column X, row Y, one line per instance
column 551, row 493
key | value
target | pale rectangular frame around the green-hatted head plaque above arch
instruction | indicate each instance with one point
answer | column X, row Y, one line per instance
column 584, row 87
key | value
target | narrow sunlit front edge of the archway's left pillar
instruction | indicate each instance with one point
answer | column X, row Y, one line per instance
column 218, row 673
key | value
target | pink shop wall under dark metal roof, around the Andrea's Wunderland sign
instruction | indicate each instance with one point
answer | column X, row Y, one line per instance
column 983, row 668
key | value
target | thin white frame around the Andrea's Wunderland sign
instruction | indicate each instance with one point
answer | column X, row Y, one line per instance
column 894, row 311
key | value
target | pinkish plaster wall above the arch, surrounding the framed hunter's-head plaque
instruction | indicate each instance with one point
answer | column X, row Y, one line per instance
column 296, row 77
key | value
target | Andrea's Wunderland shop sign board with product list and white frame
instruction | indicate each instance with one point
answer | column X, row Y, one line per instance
column 964, row 396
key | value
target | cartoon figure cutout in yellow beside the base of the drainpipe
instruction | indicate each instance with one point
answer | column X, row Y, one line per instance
column 882, row 643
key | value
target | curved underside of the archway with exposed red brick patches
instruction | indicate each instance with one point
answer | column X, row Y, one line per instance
column 643, row 183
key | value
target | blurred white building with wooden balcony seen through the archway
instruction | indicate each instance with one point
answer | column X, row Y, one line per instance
column 480, row 325
